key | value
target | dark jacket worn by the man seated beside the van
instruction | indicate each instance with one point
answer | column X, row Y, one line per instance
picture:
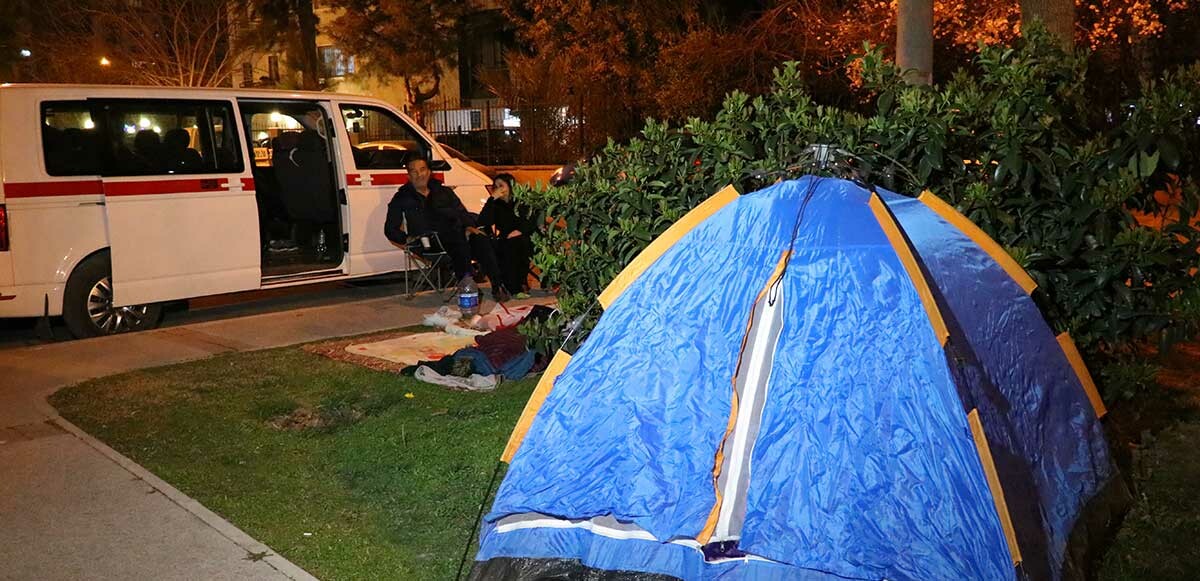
column 441, row 212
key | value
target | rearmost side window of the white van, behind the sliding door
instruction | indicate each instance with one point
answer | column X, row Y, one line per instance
column 69, row 139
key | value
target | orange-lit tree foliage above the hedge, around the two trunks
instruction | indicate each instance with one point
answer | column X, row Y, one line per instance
column 679, row 59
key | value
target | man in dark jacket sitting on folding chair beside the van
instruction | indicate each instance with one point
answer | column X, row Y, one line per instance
column 424, row 206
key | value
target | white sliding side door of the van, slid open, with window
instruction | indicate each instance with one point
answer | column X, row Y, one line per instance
column 182, row 220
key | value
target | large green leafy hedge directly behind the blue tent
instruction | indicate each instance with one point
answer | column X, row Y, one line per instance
column 1016, row 146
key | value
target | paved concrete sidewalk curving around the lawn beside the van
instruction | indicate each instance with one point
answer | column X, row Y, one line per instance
column 74, row 508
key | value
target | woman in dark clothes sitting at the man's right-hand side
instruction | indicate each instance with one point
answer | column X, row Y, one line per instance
column 509, row 231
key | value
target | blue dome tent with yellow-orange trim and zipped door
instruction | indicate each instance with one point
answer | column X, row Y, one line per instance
column 812, row 382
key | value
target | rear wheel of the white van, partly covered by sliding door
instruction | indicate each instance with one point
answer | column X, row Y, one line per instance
column 88, row 303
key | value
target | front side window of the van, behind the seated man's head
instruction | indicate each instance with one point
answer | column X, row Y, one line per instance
column 381, row 140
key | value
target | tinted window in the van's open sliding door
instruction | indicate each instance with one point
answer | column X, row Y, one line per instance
column 172, row 137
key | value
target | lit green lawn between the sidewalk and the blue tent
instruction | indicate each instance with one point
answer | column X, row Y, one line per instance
column 387, row 486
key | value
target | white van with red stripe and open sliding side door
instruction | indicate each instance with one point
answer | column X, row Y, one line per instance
column 115, row 200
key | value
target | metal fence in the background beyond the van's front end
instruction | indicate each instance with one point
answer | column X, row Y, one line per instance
column 500, row 134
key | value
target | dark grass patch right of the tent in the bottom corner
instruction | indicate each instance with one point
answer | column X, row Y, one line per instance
column 1161, row 537
